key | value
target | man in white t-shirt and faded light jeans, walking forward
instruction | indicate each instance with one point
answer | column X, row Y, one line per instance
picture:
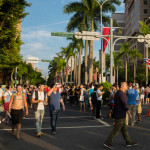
column 39, row 99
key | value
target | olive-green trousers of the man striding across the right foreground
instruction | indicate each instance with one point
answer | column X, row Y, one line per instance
column 120, row 125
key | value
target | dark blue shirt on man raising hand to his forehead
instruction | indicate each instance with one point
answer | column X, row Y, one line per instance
column 54, row 103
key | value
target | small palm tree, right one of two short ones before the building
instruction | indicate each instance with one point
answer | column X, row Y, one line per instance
column 134, row 54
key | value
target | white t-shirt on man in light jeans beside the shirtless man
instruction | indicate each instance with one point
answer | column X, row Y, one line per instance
column 40, row 97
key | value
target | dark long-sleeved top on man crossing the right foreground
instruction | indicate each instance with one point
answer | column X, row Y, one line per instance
column 120, row 107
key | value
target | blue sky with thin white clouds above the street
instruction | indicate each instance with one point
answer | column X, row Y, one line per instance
column 46, row 16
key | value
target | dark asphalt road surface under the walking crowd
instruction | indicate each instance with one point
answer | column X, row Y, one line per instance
column 75, row 131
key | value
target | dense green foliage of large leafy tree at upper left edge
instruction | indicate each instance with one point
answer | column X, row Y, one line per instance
column 11, row 12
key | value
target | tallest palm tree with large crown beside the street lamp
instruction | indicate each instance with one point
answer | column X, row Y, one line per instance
column 86, row 13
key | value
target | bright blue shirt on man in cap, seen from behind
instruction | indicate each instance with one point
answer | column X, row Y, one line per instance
column 132, row 96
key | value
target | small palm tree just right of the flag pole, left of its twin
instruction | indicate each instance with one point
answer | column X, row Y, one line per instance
column 125, row 52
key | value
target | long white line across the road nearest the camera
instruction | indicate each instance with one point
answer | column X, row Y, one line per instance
column 76, row 127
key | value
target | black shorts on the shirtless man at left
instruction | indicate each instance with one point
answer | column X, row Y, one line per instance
column 16, row 116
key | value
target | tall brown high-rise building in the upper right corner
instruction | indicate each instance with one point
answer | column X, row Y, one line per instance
column 135, row 11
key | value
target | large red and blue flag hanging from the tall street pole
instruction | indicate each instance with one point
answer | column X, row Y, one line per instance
column 106, row 31
